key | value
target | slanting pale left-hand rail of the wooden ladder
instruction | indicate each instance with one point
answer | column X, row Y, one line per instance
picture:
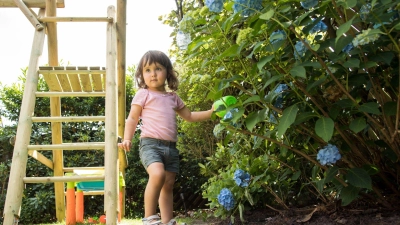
column 20, row 156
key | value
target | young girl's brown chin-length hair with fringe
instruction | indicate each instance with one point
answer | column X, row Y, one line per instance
column 159, row 57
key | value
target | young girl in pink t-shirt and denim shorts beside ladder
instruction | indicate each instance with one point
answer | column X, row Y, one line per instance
column 157, row 108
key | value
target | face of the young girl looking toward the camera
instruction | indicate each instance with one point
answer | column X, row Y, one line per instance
column 154, row 76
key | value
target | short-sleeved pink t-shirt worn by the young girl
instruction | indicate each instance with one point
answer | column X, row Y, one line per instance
column 158, row 113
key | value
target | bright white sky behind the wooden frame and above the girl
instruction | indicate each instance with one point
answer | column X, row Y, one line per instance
column 83, row 44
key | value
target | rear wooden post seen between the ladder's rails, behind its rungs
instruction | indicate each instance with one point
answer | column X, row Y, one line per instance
column 55, row 110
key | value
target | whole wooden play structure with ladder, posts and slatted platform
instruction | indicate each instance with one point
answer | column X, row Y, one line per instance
column 107, row 81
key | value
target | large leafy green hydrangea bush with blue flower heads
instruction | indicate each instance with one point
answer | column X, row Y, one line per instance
column 333, row 133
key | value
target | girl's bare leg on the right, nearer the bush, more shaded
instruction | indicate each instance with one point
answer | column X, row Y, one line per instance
column 166, row 200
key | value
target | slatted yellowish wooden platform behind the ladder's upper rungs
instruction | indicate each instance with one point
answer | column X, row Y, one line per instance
column 74, row 79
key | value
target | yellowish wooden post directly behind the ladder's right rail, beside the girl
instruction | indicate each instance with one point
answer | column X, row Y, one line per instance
column 121, row 56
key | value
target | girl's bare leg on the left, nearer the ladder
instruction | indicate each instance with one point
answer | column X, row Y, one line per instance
column 157, row 178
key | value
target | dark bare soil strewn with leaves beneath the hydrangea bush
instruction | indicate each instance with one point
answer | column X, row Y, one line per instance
column 313, row 215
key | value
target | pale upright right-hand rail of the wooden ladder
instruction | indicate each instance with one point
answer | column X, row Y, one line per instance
column 111, row 136
